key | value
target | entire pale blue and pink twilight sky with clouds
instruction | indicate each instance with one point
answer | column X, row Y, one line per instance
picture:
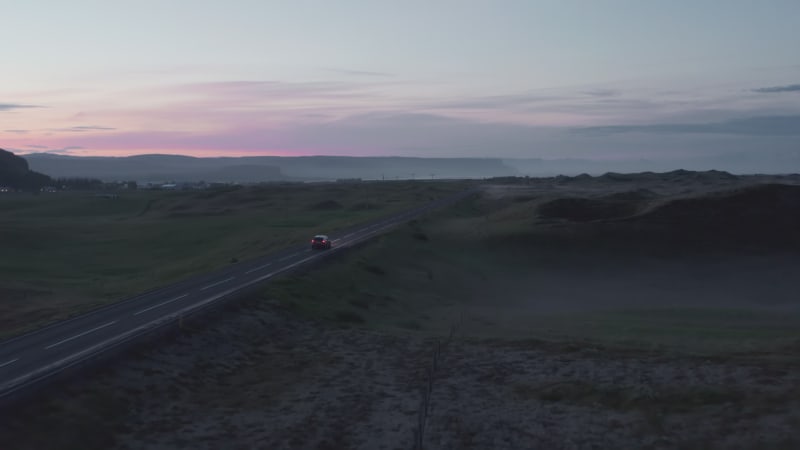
column 596, row 79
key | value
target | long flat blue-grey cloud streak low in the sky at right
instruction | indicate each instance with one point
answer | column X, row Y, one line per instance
column 750, row 126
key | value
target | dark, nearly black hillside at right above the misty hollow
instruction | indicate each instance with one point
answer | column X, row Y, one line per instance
column 765, row 216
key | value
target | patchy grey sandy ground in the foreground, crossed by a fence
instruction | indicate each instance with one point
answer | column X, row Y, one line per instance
column 262, row 378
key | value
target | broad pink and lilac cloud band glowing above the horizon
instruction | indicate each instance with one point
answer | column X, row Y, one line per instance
column 237, row 118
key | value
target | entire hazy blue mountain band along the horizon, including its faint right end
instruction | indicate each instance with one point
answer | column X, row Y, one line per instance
column 177, row 168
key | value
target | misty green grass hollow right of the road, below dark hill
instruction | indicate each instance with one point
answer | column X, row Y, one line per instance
column 474, row 266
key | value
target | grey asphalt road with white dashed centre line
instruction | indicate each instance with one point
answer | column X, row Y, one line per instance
column 30, row 360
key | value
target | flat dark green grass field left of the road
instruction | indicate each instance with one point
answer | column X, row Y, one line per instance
column 63, row 253
